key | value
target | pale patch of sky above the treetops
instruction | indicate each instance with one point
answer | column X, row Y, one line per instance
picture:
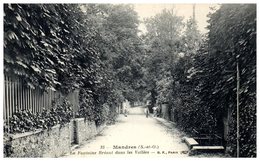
column 185, row 10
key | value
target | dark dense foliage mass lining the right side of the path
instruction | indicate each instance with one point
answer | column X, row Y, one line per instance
column 211, row 83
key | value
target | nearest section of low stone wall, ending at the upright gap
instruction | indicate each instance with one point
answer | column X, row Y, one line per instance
column 43, row 143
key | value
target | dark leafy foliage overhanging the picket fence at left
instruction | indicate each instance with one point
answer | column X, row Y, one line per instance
column 51, row 46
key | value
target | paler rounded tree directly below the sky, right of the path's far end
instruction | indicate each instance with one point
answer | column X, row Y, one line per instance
column 163, row 46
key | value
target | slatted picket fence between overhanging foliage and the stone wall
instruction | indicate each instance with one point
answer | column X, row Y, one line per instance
column 18, row 97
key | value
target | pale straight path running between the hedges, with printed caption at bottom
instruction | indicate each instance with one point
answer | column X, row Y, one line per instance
column 134, row 135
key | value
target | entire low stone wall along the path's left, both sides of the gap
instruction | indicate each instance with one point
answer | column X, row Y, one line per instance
column 51, row 143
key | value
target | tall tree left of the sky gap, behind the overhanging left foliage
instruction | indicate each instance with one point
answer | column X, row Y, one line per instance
column 119, row 46
